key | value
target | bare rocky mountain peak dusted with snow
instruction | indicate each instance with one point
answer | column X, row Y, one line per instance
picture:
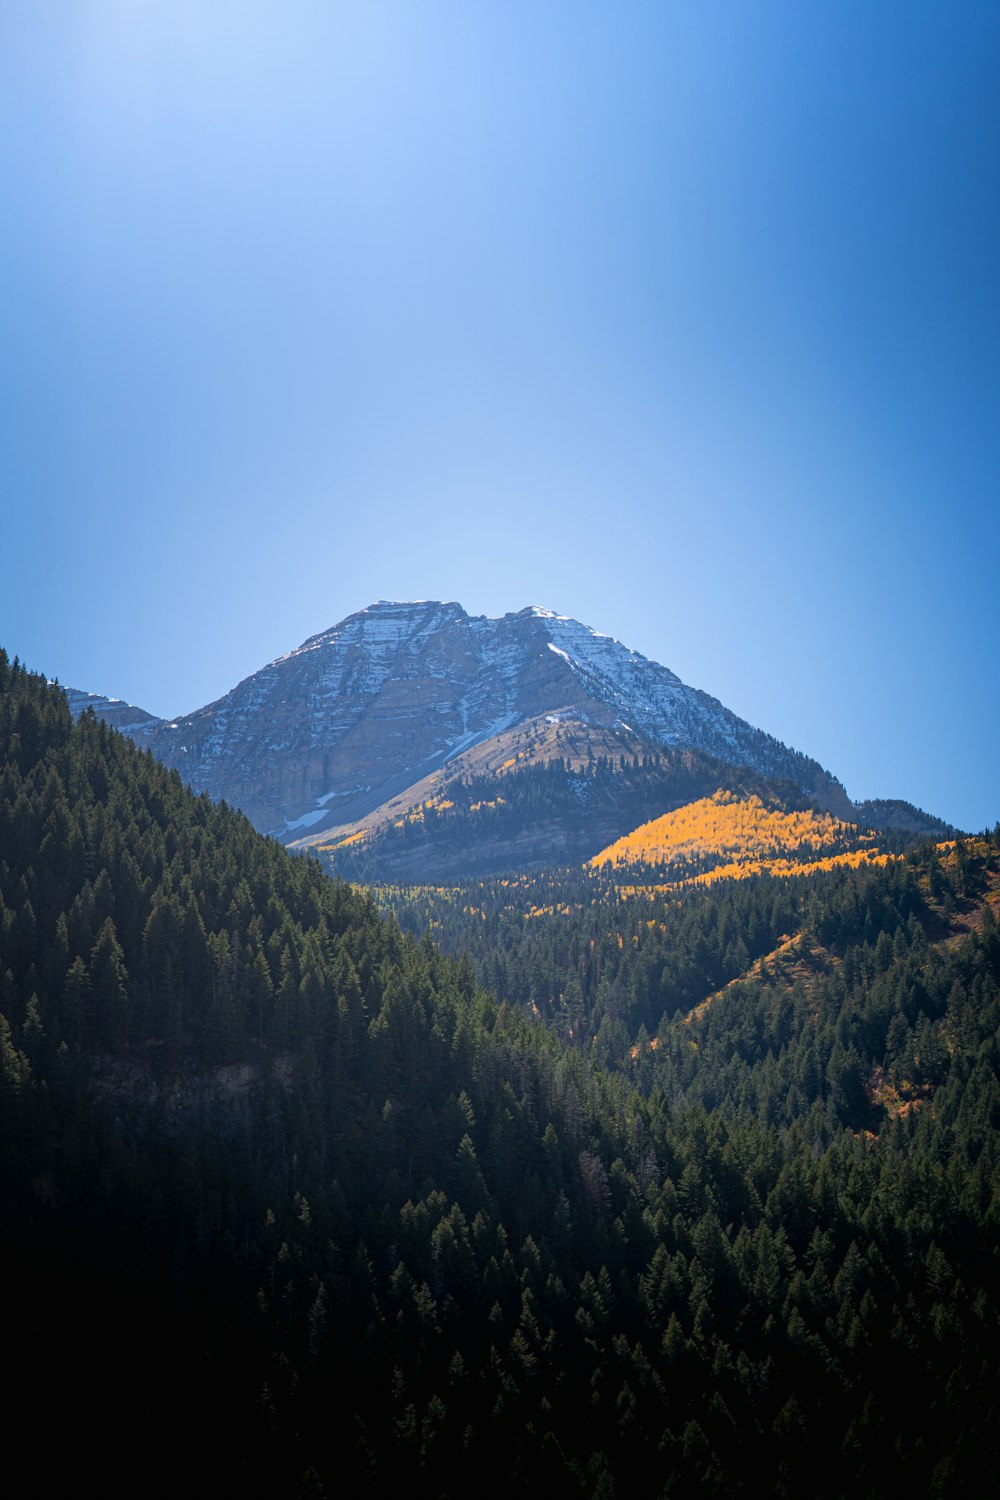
column 401, row 692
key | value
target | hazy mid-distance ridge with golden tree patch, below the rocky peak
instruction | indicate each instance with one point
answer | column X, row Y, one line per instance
column 678, row 809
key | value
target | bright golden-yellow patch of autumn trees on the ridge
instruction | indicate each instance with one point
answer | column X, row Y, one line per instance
column 729, row 836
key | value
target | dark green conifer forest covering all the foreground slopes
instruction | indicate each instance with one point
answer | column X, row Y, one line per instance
column 260, row 1150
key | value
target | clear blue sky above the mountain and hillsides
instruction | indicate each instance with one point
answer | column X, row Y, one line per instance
column 681, row 319
